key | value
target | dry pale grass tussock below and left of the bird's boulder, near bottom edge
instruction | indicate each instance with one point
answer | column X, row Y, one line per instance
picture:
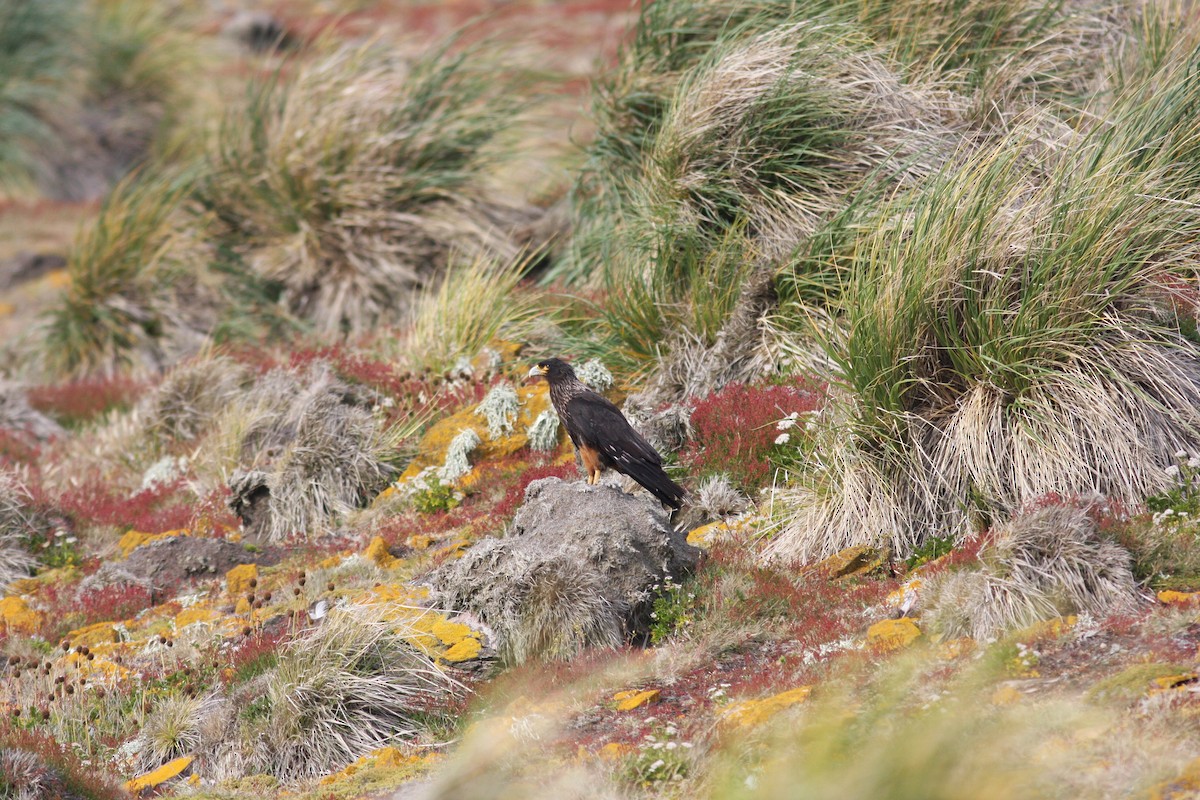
column 352, row 685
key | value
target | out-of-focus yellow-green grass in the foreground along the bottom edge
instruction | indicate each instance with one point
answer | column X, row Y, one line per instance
column 901, row 742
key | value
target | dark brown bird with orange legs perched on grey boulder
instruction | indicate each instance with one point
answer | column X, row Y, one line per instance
column 602, row 436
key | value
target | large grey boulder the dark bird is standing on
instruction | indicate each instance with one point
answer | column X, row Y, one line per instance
column 579, row 568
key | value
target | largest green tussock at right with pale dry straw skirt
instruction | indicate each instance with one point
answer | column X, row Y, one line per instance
column 1005, row 336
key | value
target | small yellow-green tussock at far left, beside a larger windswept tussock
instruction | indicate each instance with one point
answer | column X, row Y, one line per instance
column 140, row 292
